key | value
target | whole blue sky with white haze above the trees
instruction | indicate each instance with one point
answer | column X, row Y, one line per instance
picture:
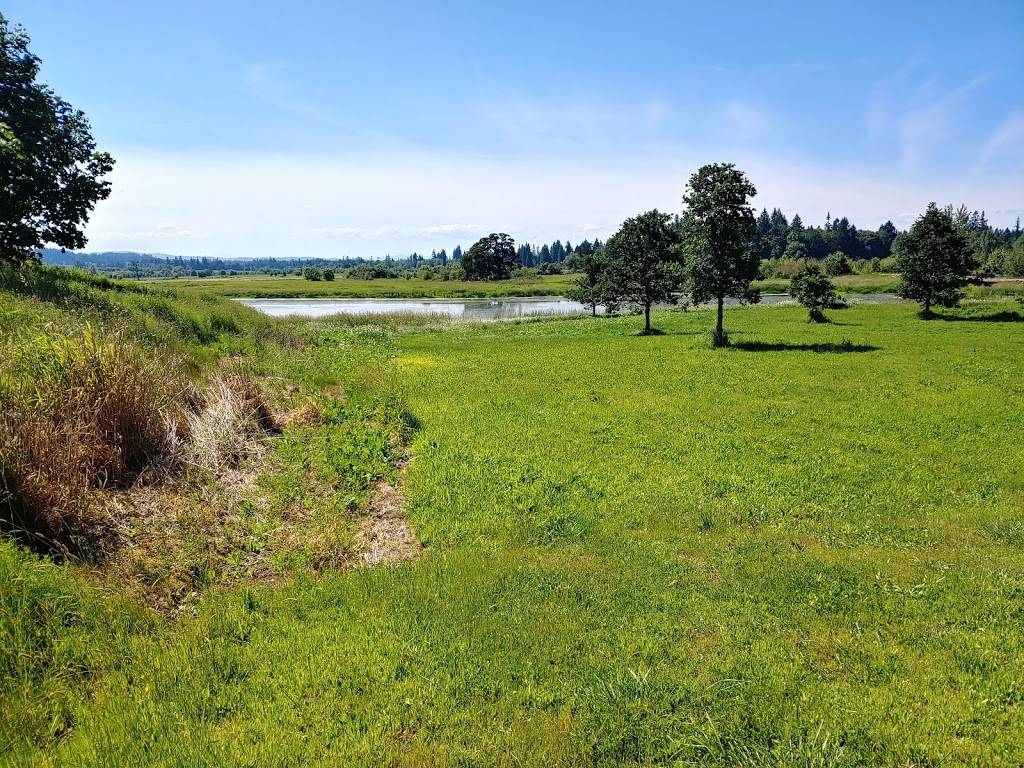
column 335, row 129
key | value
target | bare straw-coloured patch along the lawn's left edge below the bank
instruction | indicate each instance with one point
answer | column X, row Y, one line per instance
column 386, row 537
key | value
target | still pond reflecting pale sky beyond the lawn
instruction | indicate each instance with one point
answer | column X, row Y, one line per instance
column 471, row 310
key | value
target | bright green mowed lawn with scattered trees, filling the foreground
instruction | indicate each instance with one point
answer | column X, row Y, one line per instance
column 804, row 550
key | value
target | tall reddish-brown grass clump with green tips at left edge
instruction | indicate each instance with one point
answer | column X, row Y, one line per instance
column 82, row 413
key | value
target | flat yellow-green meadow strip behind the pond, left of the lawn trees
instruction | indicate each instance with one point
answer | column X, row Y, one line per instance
column 295, row 287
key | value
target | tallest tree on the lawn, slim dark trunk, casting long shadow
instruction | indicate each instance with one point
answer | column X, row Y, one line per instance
column 719, row 233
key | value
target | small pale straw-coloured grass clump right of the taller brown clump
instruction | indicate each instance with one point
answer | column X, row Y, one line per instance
column 231, row 425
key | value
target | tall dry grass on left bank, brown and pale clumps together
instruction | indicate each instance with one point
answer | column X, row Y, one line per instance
column 86, row 416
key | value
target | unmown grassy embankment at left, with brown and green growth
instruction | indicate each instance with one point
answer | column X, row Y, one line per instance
column 159, row 444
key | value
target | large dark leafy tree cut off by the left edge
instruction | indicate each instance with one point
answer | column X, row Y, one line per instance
column 52, row 176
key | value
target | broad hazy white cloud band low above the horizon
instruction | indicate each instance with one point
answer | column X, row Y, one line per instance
column 278, row 205
